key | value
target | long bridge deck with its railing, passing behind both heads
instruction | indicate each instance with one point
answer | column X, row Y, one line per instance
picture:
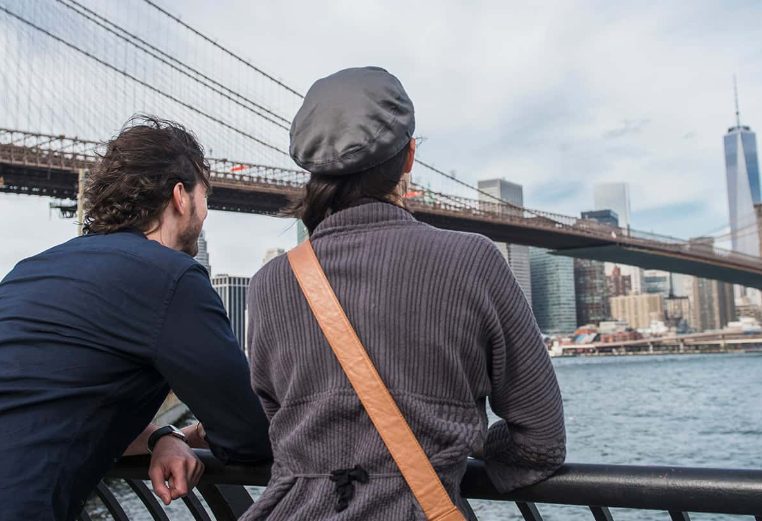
column 44, row 165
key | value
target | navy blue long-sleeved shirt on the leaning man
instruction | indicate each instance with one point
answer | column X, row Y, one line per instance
column 93, row 334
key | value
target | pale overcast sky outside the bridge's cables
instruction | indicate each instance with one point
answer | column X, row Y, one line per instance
column 556, row 97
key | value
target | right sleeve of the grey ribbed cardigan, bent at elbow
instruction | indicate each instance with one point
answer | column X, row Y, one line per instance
column 528, row 444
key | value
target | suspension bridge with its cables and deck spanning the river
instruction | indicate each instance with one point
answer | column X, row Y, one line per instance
column 52, row 124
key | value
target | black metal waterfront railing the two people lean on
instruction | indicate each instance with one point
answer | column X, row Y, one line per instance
column 675, row 490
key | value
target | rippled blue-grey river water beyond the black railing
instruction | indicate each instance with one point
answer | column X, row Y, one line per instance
column 682, row 410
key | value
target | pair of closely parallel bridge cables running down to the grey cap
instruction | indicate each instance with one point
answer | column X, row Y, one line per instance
column 283, row 123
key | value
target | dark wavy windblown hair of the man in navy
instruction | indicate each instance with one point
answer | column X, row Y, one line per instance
column 133, row 180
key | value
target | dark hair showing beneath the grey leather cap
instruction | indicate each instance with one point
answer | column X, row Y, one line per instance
column 327, row 194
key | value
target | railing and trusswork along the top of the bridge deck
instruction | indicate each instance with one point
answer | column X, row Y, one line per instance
column 64, row 153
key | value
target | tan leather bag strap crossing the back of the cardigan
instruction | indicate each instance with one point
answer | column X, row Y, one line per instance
column 375, row 397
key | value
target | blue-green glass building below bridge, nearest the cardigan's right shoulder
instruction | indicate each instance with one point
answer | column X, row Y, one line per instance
column 553, row 298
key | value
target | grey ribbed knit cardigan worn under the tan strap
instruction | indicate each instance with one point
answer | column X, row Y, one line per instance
column 447, row 326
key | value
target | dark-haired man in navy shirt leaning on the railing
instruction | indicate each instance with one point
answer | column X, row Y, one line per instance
column 94, row 332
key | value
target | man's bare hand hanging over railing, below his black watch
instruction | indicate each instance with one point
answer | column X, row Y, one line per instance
column 174, row 469
